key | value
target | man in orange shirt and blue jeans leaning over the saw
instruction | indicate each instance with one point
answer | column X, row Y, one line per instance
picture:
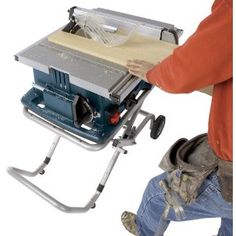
column 204, row 59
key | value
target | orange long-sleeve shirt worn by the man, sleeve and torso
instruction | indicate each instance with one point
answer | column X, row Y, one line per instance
column 205, row 59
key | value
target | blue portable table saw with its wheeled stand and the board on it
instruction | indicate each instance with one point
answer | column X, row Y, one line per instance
column 83, row 92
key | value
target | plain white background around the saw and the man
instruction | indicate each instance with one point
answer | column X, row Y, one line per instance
column 73, row 174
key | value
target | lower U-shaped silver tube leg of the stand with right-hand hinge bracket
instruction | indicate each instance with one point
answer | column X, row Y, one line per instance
column 127, row 139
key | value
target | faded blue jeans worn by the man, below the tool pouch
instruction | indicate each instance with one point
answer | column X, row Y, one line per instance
column 208, row 204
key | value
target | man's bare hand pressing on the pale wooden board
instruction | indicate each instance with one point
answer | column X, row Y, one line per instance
column 139, row 68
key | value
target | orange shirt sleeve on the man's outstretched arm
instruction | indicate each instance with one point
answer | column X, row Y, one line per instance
column 204, row 59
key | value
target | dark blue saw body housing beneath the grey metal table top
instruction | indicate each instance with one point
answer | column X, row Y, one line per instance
column 55, row 102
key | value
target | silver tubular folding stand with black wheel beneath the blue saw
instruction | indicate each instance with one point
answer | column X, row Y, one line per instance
column 127, row 139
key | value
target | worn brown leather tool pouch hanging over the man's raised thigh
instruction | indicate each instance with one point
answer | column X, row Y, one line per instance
column 188, row 163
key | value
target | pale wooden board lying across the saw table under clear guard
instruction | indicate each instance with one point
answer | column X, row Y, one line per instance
column 137, row 47
